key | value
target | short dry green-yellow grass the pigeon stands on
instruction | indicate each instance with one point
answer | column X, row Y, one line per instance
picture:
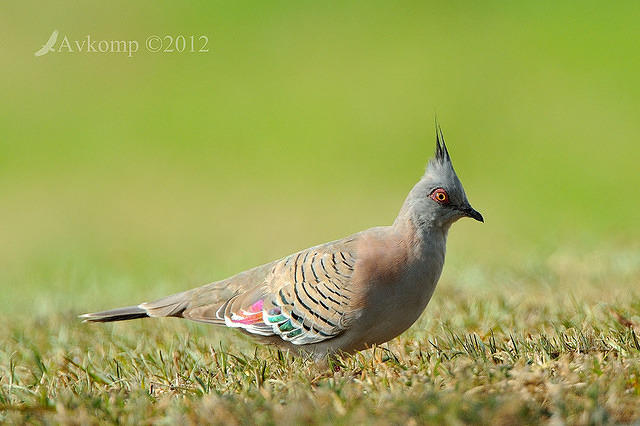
column 514, row 347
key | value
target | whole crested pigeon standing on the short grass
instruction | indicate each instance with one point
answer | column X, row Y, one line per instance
column 342, row 296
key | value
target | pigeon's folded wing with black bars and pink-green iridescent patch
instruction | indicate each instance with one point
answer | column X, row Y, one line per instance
column 304, row 298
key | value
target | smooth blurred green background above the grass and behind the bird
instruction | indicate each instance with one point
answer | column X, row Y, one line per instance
column 122, row 179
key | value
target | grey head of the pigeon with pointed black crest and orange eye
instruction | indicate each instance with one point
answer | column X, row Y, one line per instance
column 438, row 199
